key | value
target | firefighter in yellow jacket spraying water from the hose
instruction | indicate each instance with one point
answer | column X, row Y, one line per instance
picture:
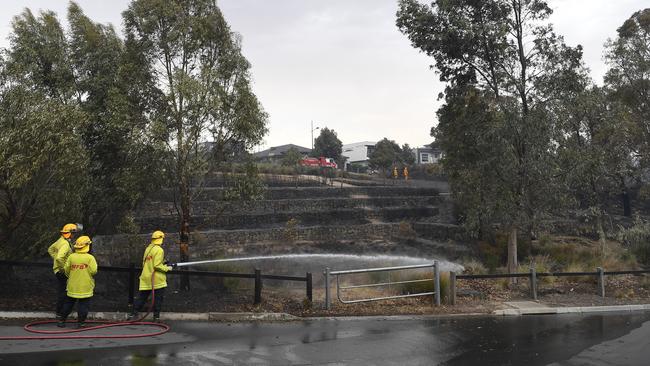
column 153, row 276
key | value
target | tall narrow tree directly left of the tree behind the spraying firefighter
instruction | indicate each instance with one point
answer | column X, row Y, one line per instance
column 116, row 92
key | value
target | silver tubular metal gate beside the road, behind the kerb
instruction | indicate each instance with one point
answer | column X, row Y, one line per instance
column 328, row 274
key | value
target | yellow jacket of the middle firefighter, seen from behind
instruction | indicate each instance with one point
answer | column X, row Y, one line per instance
column 80, row 269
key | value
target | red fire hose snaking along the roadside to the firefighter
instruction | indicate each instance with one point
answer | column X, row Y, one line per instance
column 57, row 334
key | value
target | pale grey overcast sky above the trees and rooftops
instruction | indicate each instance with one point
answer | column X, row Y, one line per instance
column 344, row 65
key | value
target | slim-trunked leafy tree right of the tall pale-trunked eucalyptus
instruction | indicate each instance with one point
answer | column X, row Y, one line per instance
column 592, row 151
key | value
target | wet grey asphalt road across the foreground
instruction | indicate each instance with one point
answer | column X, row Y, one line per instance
column 567, row 340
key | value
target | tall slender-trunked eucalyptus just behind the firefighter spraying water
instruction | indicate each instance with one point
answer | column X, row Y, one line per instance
column 197, row 64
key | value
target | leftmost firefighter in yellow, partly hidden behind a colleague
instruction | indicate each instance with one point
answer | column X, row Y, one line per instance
column 59, row 251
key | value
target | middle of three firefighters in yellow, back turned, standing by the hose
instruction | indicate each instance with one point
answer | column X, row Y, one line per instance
column 80, row 267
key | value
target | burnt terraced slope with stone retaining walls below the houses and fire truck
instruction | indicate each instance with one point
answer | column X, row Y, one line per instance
column 311, row 218
